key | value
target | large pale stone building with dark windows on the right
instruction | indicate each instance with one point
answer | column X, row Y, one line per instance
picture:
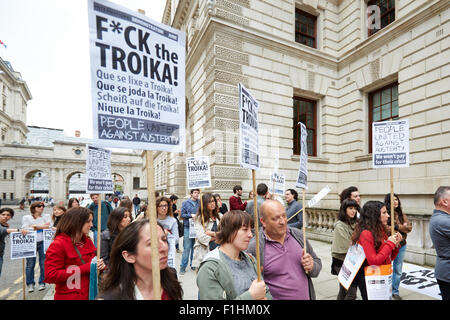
column 328, row 64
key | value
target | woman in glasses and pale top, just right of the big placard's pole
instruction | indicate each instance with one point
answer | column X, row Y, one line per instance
column 170, row 224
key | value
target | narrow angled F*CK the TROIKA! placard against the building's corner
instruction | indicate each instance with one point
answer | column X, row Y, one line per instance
column 248, row 129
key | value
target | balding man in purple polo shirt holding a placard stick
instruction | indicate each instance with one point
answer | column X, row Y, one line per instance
column 286, row 267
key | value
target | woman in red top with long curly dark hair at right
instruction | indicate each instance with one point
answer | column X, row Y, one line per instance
column 371, row 232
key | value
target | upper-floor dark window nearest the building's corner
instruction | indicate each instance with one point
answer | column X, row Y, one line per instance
column 305, row 28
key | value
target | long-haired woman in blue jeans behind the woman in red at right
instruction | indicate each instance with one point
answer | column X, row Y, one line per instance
column 401, row 224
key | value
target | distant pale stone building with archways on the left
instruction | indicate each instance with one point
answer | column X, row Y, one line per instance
column 26, row 151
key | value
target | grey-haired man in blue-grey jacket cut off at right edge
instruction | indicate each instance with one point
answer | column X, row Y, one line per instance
column 439, row 229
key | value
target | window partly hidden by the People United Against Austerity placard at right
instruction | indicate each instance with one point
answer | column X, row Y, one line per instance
column 383, row 106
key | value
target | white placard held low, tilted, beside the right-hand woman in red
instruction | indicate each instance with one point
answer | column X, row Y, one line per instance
column 352, row 263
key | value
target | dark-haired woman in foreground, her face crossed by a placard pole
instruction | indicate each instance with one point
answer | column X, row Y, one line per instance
column 130, row 275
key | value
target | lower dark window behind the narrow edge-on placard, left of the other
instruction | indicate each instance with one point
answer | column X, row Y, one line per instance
column 305, row 111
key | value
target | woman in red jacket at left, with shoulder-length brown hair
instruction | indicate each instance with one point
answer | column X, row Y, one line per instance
column 68, row 258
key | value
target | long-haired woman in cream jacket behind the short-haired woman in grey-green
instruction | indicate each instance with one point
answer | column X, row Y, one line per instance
column 206, row 225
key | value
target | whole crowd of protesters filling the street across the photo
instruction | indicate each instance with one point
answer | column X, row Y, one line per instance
column 219, row 245
